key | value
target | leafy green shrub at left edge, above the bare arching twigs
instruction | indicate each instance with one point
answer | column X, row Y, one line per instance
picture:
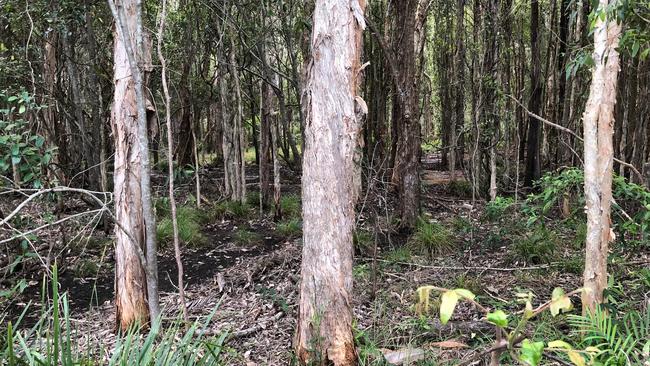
column 21, row 150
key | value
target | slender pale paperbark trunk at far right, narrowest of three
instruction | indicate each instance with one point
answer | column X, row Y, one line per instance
column 598, row 130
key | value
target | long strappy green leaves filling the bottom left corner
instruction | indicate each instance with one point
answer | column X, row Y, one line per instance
column 49, row 341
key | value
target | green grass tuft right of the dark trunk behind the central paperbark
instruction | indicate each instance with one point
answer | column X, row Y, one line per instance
column 431, row 238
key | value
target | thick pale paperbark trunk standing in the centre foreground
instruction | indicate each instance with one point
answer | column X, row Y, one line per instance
column 324, row 332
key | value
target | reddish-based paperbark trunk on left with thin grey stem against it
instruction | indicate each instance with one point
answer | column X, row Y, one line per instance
column 136, row 278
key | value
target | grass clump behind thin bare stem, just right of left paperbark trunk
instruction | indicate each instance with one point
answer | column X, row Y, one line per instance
column 190, row 221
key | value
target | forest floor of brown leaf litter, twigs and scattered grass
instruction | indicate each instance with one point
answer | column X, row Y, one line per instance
column 247, row 268
